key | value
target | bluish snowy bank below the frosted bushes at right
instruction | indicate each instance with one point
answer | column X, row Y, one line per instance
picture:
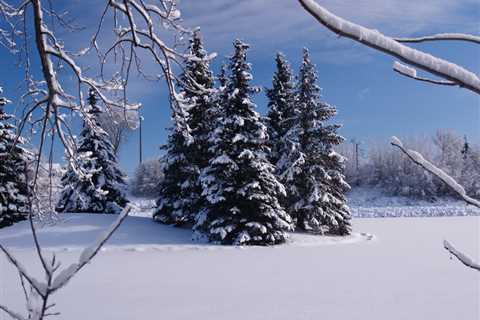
column 366, row 202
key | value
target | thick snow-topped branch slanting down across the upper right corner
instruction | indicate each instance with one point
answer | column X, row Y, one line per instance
column 378, row 41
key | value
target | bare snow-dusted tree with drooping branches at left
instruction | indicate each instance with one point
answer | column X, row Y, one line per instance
column 50, row 100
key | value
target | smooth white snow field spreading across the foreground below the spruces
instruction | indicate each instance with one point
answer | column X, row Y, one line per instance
column 388, row 269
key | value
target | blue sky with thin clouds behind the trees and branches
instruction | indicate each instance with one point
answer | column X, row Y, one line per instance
column 374, row 103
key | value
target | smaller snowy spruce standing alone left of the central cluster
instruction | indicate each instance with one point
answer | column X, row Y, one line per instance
column 97, row 185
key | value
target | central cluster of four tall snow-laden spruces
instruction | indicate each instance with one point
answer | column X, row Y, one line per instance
column 237, row 178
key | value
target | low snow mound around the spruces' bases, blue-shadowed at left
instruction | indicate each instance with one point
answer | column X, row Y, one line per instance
column 73, row 232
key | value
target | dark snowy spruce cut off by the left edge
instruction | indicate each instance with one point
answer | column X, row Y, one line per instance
column 14, row 190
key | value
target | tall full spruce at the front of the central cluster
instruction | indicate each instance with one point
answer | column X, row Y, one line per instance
column 239, row 184
